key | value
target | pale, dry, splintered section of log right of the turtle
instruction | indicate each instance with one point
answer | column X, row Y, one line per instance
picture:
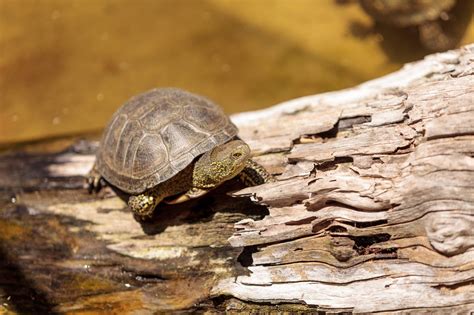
column 374, row 207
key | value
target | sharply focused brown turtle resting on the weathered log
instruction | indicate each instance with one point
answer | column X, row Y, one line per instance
column 170, row 145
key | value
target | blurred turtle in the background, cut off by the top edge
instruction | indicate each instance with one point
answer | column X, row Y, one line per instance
column 426, row 15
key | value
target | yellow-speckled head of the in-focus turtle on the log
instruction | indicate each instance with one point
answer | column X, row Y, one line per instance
column 220, row 164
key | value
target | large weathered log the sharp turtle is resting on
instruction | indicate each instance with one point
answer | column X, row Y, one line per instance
column 372, row 212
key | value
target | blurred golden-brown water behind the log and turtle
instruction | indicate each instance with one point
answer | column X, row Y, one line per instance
column 66, row 66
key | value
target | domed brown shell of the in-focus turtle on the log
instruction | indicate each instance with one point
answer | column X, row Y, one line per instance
column 156, row 134
